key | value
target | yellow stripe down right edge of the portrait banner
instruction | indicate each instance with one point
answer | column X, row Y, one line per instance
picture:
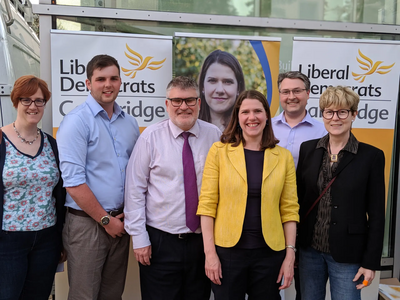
column 272, row 50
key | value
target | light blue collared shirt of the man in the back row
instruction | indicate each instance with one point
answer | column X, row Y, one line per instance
column 292, row 138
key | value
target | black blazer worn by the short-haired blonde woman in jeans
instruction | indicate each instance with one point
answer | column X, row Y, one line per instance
column 358, row 203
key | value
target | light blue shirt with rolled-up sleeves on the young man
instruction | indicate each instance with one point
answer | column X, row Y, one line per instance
column 95, row 150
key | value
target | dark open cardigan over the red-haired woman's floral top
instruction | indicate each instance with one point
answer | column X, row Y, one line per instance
column 59, row 192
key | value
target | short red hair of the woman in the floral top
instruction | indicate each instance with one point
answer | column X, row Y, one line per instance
column 26, row 86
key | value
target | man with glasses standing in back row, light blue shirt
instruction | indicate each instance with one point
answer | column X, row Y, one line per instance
column 295, row 125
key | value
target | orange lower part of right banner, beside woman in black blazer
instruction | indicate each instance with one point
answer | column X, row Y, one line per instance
column 382, row 139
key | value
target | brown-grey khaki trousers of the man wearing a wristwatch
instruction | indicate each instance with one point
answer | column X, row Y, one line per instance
column 97, row 263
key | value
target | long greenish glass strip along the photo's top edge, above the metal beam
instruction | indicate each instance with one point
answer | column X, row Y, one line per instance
column 354, row 11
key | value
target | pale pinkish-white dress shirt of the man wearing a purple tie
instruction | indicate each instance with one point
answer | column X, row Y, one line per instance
column 154, row 190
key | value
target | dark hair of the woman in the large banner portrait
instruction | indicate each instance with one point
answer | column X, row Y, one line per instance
column 226, row 59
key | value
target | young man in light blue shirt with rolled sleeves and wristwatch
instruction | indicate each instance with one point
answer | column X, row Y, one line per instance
column 95, row 141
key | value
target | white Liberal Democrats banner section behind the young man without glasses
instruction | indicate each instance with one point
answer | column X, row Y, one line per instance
column 146, row 69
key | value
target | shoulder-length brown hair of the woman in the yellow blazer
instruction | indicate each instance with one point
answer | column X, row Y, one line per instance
column 233, row 133
